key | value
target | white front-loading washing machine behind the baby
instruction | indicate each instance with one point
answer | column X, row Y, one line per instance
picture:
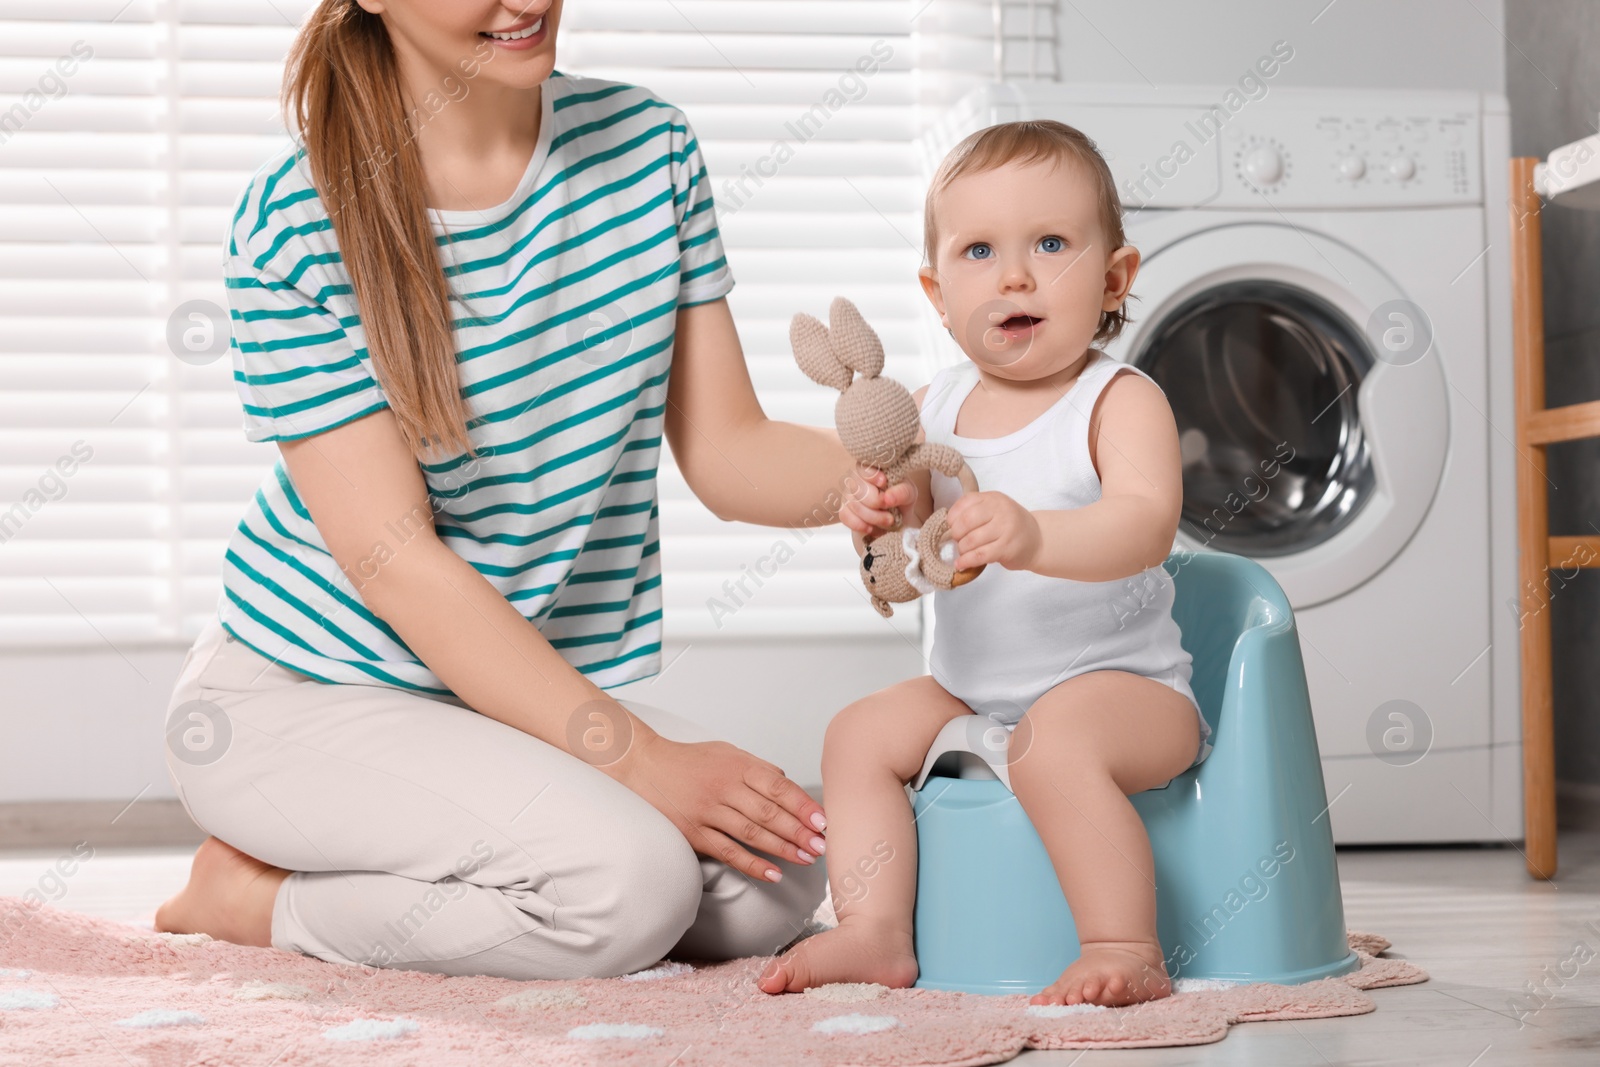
column 1324, row 298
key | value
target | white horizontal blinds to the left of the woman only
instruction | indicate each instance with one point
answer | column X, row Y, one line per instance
column 116, row 186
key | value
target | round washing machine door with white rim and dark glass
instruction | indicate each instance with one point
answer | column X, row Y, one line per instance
column 1311, row 407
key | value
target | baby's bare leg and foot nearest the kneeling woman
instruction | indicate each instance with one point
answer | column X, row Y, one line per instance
column 871, row 751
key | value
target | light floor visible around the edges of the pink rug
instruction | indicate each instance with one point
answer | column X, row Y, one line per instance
column 1468, row 916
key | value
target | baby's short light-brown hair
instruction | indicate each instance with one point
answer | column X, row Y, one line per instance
column 1034, row 142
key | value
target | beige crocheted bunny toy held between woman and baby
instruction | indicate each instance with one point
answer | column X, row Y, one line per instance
column 878, row 423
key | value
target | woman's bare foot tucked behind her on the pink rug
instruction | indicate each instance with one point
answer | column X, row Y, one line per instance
column 230, row 897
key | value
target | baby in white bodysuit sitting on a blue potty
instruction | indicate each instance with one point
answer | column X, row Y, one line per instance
column 1068, row 639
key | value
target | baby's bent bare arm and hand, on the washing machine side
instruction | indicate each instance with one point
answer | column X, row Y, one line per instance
column 1129, row 530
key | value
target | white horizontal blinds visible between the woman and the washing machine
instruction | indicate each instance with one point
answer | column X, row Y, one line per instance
column 814, row 172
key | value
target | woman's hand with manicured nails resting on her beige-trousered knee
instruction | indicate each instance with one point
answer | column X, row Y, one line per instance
column 721, row 796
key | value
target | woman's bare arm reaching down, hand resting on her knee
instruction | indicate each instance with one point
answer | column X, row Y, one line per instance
column 361, row 482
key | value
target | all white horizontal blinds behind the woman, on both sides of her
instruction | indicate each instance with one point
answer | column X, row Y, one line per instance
column 116, row 183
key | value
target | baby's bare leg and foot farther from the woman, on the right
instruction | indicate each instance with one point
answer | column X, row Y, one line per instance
column 1074, row 759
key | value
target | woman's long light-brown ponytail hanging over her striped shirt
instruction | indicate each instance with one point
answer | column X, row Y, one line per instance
column 342, row 92
